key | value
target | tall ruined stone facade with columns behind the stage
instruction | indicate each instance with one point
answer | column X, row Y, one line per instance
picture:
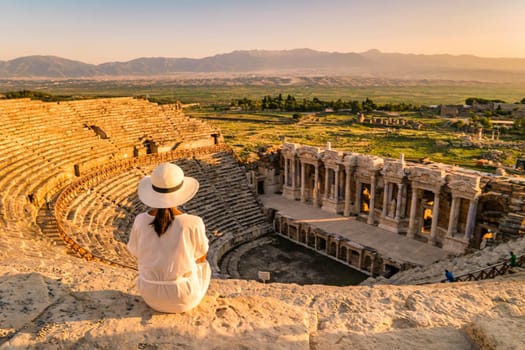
column 446, row 206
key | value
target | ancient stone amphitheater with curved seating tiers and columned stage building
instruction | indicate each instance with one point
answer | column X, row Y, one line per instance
column 68, row 177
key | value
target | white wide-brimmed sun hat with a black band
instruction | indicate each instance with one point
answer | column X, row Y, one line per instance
column 167, row 187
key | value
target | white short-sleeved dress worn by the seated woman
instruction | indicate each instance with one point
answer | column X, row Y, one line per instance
column 169, row 278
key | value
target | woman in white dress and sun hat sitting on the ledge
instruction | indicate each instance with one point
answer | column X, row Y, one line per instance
column 170, row 246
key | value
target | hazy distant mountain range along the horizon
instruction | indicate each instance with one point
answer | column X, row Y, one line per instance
column 372, row 63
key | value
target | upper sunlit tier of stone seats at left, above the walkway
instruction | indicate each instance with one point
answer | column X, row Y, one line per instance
column 41, row 142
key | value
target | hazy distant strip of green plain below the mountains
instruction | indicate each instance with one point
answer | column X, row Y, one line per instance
column 419, row 92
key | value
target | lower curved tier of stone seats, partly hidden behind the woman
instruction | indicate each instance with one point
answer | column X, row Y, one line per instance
column 100, row 212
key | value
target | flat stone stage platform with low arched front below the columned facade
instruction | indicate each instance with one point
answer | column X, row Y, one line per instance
column 367, row 248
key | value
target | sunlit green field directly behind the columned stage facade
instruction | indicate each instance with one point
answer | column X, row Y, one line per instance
column 246, row 133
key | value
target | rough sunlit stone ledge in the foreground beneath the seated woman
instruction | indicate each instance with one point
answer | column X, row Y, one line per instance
column 68, row 303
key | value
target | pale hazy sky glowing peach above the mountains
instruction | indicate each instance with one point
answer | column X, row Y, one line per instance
column 98, row 31
